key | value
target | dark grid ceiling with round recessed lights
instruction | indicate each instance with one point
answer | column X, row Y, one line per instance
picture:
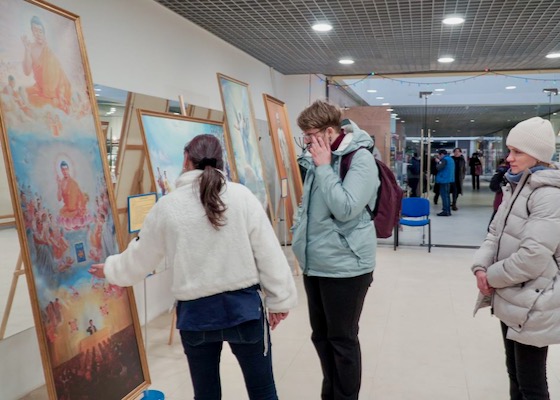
column 385, row 36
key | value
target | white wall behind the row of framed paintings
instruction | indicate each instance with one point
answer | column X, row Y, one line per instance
column 139, row 46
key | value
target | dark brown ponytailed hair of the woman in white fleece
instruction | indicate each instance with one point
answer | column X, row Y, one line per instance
column 205, row 153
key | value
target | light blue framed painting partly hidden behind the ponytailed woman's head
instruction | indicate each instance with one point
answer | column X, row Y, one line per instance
column 165, row 137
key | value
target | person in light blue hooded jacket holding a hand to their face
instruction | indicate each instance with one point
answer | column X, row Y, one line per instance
column 334, row 241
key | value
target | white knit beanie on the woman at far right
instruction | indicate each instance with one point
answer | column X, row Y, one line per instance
column 535, row 137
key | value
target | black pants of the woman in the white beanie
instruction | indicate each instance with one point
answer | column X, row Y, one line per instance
column 526, row 366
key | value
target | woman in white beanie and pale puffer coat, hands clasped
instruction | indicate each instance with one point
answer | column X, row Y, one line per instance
column 516, row 267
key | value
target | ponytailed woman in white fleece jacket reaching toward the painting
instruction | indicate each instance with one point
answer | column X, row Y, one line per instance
column 224, row 253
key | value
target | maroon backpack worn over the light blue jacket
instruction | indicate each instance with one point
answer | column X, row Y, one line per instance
column 387, row 210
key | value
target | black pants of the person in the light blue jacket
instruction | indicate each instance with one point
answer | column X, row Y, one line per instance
column 335, row 306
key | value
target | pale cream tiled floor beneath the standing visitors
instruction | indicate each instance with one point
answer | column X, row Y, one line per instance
column 419, row 338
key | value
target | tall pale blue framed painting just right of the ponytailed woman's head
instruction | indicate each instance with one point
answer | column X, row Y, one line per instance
column 243, row 138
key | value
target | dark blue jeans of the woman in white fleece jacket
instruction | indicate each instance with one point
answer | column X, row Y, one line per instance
column 203, row 350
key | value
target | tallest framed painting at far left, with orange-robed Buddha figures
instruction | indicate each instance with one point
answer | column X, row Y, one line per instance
column 88, row 330
